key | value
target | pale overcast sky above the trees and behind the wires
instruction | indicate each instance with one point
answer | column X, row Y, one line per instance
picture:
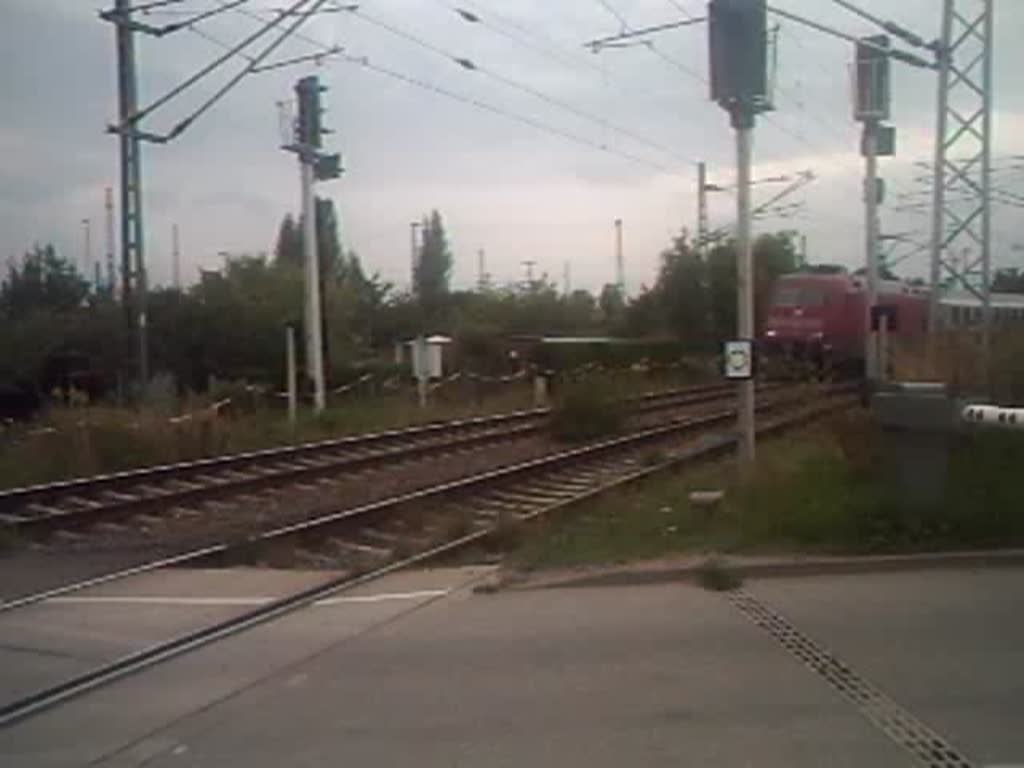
column 519, row 191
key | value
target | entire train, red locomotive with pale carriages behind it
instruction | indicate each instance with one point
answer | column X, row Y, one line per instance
column 820, row 317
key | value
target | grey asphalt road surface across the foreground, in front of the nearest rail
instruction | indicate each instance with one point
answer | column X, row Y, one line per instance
column 418, row 670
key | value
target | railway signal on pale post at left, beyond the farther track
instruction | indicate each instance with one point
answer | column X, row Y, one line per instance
column 314, row 165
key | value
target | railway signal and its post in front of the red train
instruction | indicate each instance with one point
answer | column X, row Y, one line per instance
column 872, row 107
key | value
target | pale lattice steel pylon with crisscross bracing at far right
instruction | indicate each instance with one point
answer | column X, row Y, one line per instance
column 962, row 220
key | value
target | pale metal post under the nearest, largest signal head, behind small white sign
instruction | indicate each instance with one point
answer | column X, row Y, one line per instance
column 745, row 281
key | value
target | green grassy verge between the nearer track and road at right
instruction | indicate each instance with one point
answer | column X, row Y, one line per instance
column 823, row 491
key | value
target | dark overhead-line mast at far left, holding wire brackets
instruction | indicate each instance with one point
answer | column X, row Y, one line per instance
column 134, row 277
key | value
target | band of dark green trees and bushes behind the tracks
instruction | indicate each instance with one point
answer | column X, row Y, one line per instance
column 61, row 333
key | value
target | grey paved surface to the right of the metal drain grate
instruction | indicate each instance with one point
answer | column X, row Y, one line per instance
column 947, row 646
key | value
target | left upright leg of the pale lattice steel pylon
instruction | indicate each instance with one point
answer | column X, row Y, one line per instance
column 940, row 172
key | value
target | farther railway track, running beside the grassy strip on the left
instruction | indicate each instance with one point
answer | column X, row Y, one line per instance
column 78, row 504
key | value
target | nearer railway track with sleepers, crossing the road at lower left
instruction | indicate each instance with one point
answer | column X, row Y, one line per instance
column 365, row 543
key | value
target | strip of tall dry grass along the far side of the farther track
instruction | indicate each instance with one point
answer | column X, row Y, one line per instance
column 68, row 442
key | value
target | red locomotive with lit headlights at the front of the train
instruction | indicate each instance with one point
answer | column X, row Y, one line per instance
column 820, row 316
